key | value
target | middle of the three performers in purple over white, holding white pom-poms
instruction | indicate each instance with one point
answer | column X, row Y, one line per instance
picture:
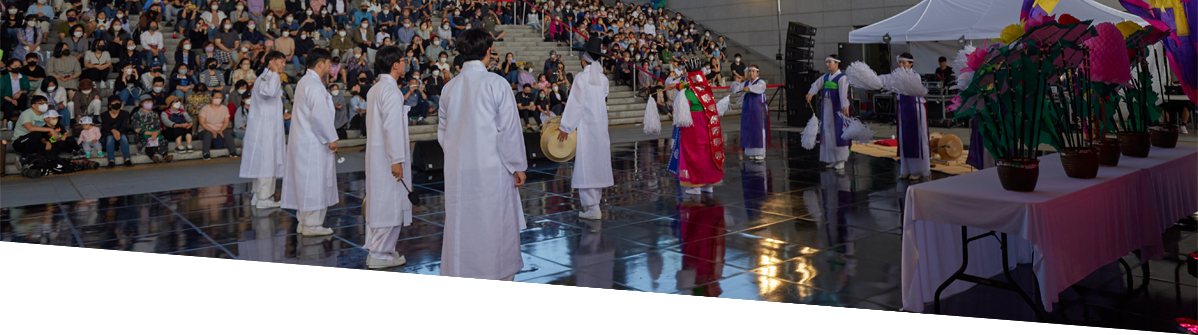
column 833, row 150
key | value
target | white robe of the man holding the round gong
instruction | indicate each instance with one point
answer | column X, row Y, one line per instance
column 586, row 113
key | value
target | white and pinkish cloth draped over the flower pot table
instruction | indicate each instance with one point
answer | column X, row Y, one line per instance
column 1067, row 229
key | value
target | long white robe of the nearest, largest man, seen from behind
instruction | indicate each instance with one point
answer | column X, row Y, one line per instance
column 480, row 131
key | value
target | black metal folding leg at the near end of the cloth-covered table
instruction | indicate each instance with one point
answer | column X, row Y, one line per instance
column 1009, row 285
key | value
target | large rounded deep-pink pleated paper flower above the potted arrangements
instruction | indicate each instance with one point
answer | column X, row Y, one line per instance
column 1109, row 56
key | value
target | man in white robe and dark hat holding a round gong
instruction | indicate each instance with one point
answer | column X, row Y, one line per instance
column 588, row 114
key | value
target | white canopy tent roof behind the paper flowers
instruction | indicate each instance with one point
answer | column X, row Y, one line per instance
column 931, row 29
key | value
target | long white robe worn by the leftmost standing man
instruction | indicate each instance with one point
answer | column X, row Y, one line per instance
column 264, row 148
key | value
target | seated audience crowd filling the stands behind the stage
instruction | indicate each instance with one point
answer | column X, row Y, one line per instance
column 160, row 94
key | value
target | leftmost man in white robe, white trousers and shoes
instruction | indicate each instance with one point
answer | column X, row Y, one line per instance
column 264, row 148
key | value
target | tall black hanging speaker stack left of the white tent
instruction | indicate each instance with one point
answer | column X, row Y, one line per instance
column 801, row 72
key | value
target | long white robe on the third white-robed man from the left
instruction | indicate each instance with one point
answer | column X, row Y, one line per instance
column 388, row 119
